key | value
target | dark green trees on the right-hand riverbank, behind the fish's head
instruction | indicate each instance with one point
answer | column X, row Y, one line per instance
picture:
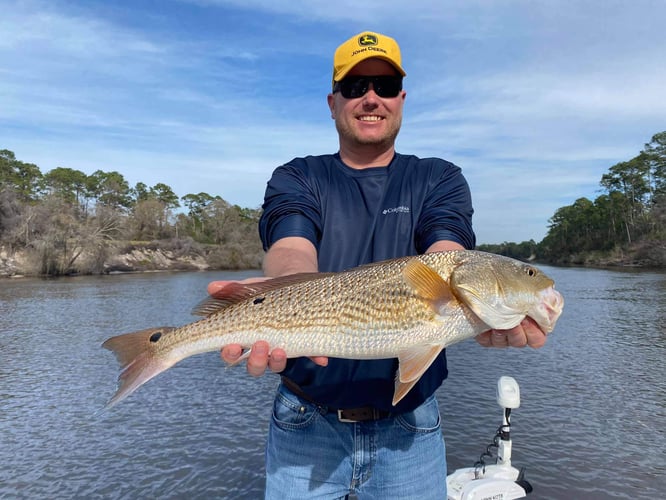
column 625, row 225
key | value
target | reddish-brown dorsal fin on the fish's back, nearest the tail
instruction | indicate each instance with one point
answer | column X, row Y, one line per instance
column 236, row 292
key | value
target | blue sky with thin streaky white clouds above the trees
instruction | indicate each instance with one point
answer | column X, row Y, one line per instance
column 534, row 99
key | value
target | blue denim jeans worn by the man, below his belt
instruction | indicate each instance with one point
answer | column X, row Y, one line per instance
column 311, row 454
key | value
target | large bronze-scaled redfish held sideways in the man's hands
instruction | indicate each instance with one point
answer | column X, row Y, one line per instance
column 408, row 308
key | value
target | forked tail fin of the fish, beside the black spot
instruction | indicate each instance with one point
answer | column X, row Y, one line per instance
column 138, row 359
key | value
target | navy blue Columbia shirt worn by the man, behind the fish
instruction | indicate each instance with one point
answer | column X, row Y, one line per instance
column 355, row 217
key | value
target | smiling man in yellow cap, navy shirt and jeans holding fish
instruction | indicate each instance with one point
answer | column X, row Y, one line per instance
column 334, row 430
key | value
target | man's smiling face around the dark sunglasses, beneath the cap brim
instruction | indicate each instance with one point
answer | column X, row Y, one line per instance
column 369, row 119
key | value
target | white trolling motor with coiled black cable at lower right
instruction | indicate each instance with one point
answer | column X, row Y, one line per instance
column 498, row 481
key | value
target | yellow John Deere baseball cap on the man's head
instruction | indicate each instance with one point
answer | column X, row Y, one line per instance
column 363, row 46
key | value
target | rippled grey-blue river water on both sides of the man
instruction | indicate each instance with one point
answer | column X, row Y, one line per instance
column 591, row 424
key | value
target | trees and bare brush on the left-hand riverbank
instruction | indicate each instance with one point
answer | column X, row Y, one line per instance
column 67, row 222
